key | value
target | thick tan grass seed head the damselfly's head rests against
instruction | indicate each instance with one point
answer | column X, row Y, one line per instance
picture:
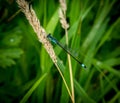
column 34, row 22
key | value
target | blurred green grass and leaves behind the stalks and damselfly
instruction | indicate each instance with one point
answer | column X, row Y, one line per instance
column 27, row 74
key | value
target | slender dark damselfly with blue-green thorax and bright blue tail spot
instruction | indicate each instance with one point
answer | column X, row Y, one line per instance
column 65, row 49
